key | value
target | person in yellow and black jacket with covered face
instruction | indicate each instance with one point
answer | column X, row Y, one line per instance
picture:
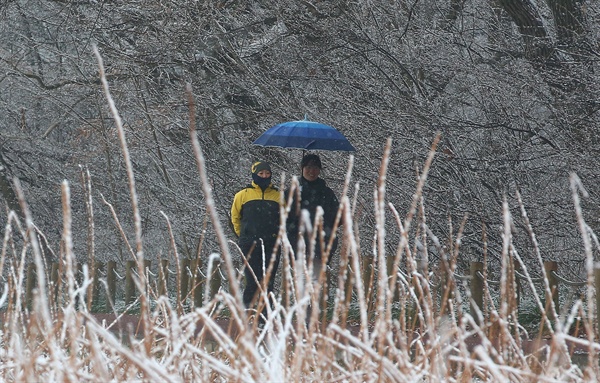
column 255, row 219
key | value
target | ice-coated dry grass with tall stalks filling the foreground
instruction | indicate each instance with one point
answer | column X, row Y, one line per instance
column 409, row 336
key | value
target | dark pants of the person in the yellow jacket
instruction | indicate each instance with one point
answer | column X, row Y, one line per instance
column 255, row 260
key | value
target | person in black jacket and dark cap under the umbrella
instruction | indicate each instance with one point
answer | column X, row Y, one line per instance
column 313, row 192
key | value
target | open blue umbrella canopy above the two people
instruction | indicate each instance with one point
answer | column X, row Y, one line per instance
column 307, row 135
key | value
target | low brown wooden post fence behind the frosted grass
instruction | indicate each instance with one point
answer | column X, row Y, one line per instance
column 188, row 283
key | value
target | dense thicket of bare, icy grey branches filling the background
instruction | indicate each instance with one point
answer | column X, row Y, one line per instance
column 512, row 87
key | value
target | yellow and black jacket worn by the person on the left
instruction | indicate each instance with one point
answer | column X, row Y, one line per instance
column 255, row 213
